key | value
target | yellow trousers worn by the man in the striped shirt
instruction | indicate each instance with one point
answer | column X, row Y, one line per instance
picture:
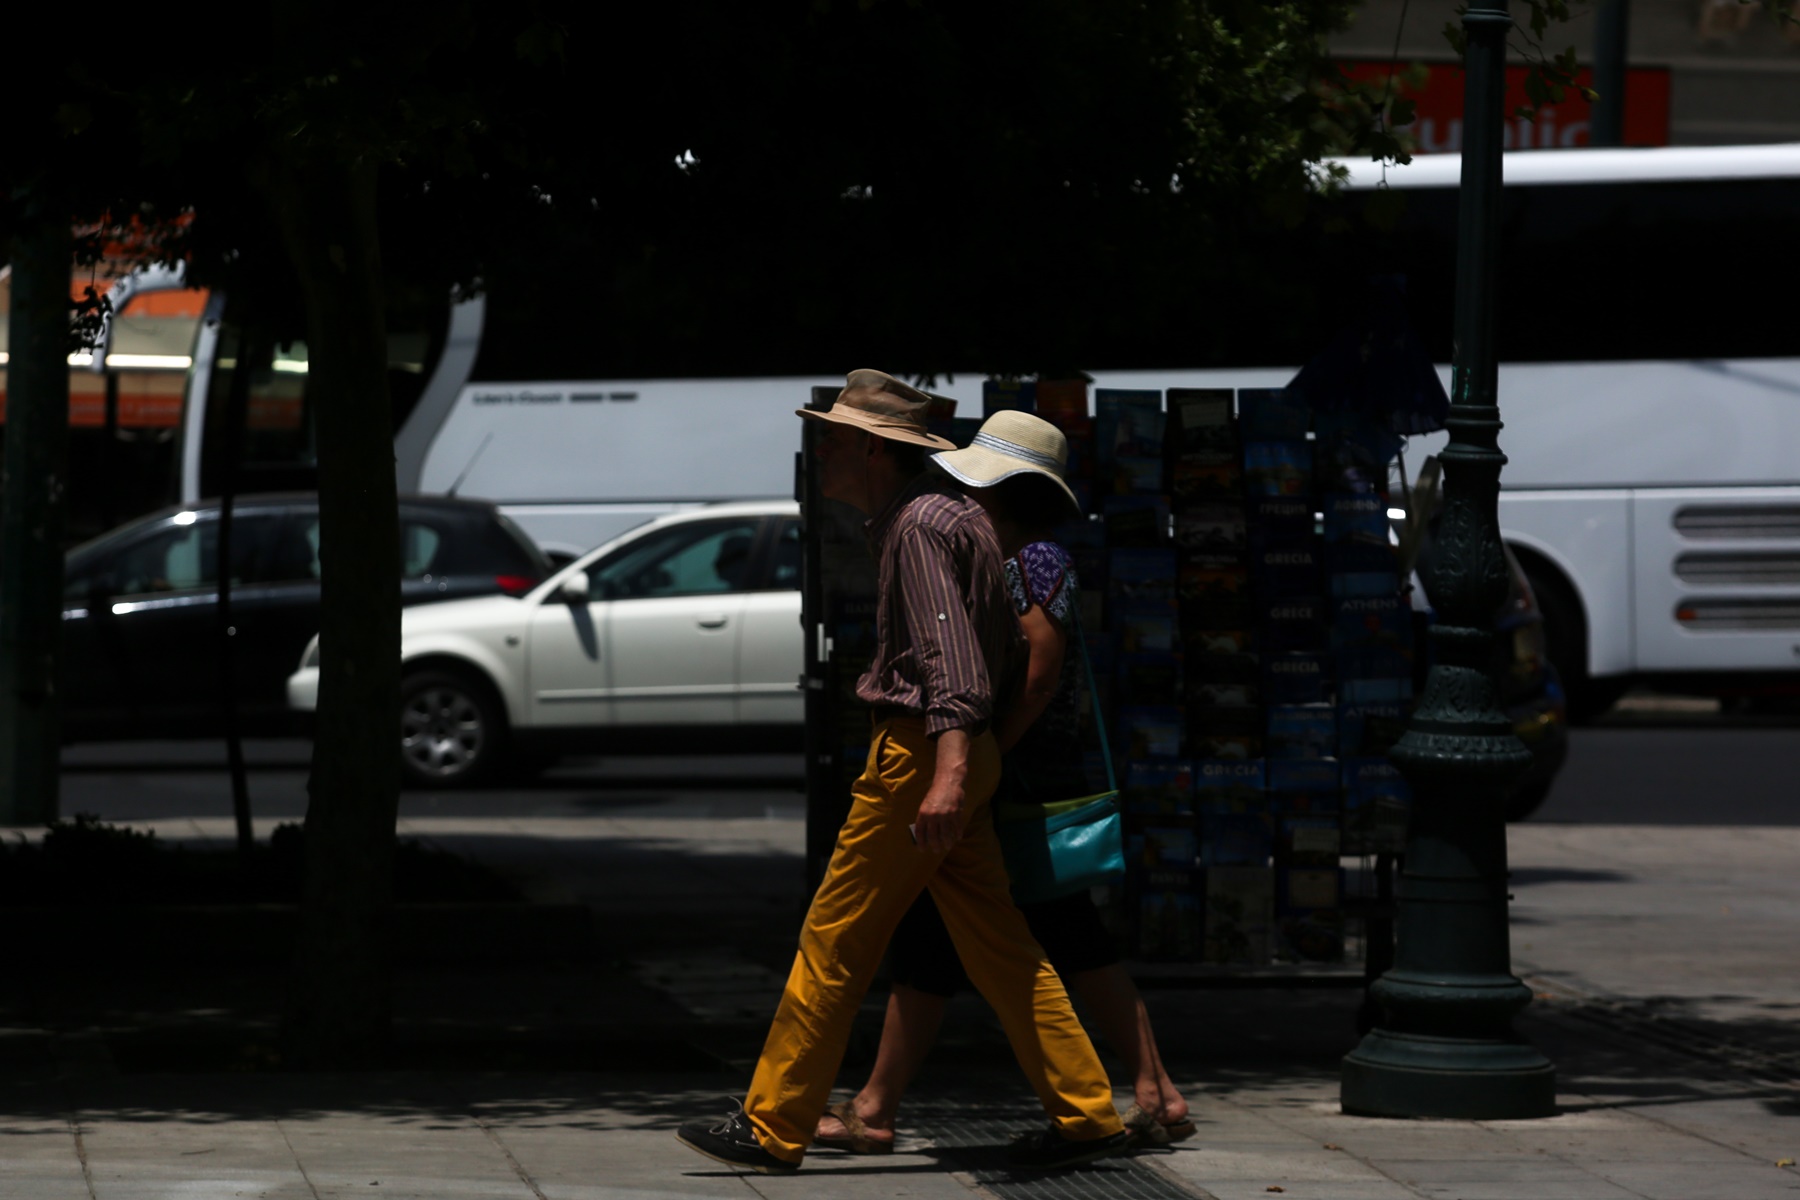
column 872, row 881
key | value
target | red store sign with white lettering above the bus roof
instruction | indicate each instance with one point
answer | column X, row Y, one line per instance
column 1437, row 129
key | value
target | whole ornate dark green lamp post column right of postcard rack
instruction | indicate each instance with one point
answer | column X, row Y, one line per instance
column 1444, row 1046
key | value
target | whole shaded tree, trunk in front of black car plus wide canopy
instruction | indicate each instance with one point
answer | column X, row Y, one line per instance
column 710, row 188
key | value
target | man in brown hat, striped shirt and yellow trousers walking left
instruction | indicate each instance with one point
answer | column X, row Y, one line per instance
column 946, row 643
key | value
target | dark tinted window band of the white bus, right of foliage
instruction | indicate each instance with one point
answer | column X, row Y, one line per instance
column 1594, row 273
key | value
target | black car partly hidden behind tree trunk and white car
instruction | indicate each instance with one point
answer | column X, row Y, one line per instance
column 141, row 640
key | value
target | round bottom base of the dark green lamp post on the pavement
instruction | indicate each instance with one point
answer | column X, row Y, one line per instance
column 1408, row 1075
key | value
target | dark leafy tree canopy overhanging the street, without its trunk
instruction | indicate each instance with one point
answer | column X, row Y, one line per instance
column 726, row 188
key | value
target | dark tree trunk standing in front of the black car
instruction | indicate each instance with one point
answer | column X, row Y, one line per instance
column 339, row 1005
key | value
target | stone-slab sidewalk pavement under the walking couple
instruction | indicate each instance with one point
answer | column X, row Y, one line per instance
column 1662, row 958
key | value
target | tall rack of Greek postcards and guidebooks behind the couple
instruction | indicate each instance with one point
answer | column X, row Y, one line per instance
column 1254, row 650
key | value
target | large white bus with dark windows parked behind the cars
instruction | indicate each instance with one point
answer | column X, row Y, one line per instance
column 1650, row 384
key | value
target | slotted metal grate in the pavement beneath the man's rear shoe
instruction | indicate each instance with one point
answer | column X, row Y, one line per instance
column 973, row 1138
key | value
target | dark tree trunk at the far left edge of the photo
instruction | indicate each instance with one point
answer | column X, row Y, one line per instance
column 31, row 523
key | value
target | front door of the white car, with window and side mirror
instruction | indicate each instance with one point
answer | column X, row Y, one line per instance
column 658, row 641
